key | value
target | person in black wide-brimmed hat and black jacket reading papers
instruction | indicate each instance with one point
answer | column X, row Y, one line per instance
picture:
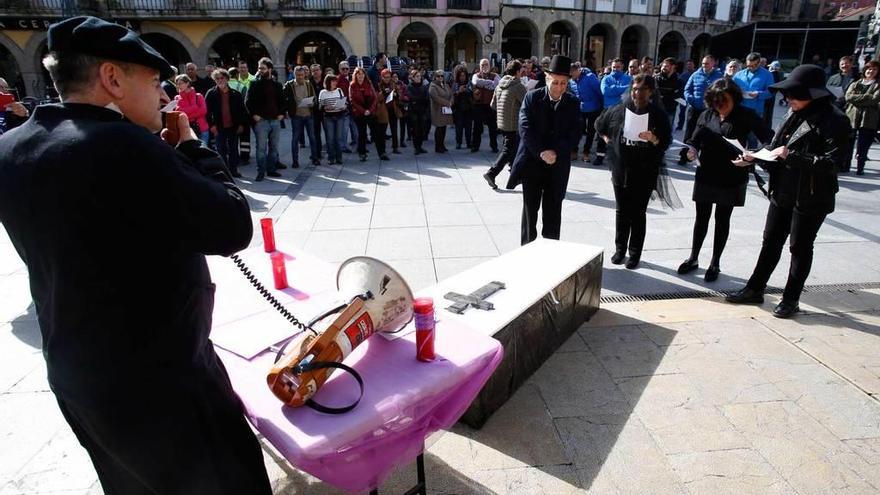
column 809, row 148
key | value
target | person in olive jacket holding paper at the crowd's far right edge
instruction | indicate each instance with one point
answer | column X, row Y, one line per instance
column 862, row 98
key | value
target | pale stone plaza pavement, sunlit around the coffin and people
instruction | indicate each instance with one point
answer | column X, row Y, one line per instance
column 670, row 396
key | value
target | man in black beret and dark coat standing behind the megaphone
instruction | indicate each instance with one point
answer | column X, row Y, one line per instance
column 114, row 224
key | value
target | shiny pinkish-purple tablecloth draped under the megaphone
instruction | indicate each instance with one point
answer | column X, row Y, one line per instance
column 404, row 401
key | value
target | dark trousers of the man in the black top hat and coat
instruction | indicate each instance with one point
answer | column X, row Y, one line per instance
column 546, row 194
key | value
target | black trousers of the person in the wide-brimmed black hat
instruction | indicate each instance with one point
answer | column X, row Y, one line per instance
column 803, row 229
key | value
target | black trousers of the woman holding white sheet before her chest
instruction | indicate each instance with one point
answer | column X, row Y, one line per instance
column 630, row 215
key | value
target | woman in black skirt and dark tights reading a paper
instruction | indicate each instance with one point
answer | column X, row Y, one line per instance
column 718, row 181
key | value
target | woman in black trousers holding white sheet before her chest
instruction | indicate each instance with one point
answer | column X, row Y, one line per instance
column 638, row 133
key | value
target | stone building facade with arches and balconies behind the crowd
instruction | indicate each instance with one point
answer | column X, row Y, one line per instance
column 436, row 33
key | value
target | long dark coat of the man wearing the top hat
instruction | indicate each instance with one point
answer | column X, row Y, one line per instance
column 540, row 129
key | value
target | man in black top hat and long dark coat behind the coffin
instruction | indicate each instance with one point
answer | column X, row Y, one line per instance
column 543, row 159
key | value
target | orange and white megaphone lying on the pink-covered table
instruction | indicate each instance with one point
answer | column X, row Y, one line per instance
column 378, row 300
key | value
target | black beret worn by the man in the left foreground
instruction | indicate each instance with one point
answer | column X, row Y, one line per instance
column 92, row 36
